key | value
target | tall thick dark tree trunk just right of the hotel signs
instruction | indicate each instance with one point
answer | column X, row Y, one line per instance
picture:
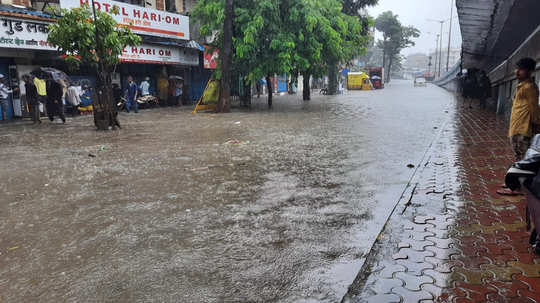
column 224, row 104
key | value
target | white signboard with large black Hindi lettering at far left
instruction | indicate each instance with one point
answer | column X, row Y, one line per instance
column 24, row 34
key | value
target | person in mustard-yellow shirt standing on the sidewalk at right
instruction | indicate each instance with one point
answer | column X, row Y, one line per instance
column 525, row 117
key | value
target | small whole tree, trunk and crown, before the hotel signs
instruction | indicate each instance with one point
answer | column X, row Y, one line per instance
column 94, row 38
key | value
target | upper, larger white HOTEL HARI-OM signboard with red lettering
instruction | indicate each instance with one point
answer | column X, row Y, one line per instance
column 141, row 20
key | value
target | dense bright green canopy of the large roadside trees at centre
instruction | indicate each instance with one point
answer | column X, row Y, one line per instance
column 286, row 36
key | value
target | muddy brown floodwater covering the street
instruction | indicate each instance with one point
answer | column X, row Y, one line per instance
column 253, row 206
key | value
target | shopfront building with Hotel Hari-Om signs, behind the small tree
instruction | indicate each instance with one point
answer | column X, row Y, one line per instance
column 166, row 49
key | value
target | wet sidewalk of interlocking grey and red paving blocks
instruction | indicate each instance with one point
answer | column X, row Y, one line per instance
column 452, row 238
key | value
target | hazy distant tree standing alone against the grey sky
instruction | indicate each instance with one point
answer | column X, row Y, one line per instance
column 395, row 38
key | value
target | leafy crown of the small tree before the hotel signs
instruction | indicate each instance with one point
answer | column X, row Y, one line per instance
column 75, row 35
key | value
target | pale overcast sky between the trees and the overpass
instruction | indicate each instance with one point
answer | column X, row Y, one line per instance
column 417, row 13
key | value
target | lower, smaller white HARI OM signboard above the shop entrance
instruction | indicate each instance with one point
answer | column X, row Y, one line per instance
column 158, row 54
